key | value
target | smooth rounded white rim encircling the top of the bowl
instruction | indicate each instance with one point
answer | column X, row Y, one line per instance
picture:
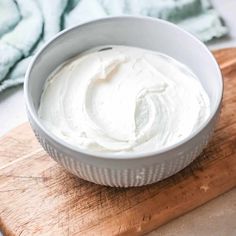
column 120, row 155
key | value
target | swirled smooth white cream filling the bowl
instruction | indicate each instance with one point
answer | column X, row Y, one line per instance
column 118, row 99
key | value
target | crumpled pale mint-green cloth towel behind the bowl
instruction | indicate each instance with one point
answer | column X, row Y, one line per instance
column 25, row 25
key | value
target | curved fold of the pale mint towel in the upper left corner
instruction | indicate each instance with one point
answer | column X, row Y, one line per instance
column 18, row 42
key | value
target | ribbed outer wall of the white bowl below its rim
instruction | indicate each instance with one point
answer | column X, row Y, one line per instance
column 126, row 177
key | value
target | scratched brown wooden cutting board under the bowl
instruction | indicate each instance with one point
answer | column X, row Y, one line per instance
column 38, row 197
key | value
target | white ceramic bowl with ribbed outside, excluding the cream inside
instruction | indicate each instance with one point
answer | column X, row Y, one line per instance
column 153, row 34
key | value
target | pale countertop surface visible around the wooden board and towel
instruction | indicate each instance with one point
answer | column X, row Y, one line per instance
column 218, row 217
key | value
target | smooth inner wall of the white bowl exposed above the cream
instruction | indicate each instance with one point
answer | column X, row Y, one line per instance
column 141, row 32
